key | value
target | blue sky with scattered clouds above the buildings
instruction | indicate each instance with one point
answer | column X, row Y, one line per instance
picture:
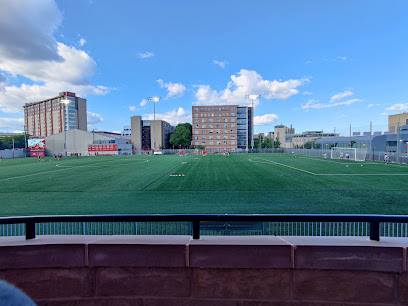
column 318, row 65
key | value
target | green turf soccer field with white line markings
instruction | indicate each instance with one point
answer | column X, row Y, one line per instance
column 214, row 184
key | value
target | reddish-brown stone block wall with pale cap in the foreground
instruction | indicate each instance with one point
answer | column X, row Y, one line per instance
column 165, row 270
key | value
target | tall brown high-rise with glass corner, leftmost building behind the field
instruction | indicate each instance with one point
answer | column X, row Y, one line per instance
column 55, row 115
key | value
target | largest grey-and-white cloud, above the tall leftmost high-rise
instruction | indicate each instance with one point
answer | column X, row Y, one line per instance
column 28, row 48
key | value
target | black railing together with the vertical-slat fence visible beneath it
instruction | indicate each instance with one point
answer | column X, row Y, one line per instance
column 282, row 225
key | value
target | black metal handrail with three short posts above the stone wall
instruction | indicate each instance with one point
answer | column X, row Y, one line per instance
column 373, row 220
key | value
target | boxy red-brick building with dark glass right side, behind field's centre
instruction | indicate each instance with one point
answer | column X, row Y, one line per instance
column 222, row 127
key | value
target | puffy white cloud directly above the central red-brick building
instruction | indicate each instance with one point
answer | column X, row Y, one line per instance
column 247, row 82
